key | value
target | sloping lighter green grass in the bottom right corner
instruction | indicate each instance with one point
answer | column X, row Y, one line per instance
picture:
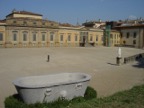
column 133, row 98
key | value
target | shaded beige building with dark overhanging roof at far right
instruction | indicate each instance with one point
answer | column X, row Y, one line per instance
column 132, row 35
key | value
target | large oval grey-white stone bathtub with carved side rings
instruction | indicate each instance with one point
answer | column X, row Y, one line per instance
column 48, row 88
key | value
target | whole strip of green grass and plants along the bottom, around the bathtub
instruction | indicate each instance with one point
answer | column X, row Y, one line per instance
column 133, row 98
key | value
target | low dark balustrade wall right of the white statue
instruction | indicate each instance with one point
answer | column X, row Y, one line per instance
column 133, row 58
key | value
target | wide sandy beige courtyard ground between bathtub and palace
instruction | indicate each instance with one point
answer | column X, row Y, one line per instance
column 99, row 62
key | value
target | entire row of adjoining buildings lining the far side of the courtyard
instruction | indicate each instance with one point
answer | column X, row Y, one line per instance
column 28, row 29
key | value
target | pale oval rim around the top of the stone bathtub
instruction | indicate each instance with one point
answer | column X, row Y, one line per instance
column 32, row 86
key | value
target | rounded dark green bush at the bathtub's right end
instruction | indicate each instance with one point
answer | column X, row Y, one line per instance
column 90, row 93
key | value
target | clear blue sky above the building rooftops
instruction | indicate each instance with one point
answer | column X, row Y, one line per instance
column 73, row 11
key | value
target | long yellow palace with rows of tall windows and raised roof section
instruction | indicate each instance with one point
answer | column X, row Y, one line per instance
column 27, row 29
